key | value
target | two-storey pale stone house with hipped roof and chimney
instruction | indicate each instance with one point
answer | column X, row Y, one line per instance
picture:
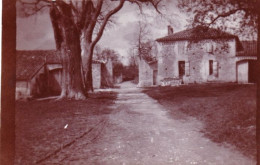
column 201, row 55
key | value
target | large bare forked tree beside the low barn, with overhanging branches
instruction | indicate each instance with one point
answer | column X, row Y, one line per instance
column 78, row 26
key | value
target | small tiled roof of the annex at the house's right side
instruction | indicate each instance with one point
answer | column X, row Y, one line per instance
column 250, row 48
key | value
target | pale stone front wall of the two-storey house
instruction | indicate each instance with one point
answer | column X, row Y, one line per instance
column 196, row 56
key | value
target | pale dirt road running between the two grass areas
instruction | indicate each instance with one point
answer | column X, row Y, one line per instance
column 141, row 132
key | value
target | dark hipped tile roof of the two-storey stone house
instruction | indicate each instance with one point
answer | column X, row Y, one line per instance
column 197, row 33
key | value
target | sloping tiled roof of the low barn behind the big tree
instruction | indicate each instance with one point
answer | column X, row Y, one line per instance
column 28, row 63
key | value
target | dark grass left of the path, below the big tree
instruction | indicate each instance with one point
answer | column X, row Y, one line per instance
column 40, row 124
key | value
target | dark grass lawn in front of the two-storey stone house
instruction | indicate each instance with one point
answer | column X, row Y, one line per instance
column 228, row 111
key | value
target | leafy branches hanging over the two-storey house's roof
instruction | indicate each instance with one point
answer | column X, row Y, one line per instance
column 237, row 15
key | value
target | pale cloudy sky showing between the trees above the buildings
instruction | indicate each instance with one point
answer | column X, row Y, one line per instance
column 35, row 32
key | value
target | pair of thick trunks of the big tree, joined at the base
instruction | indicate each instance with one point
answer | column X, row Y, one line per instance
column 73, row 30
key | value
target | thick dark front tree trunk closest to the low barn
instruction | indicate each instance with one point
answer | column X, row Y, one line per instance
column 68, row 43
